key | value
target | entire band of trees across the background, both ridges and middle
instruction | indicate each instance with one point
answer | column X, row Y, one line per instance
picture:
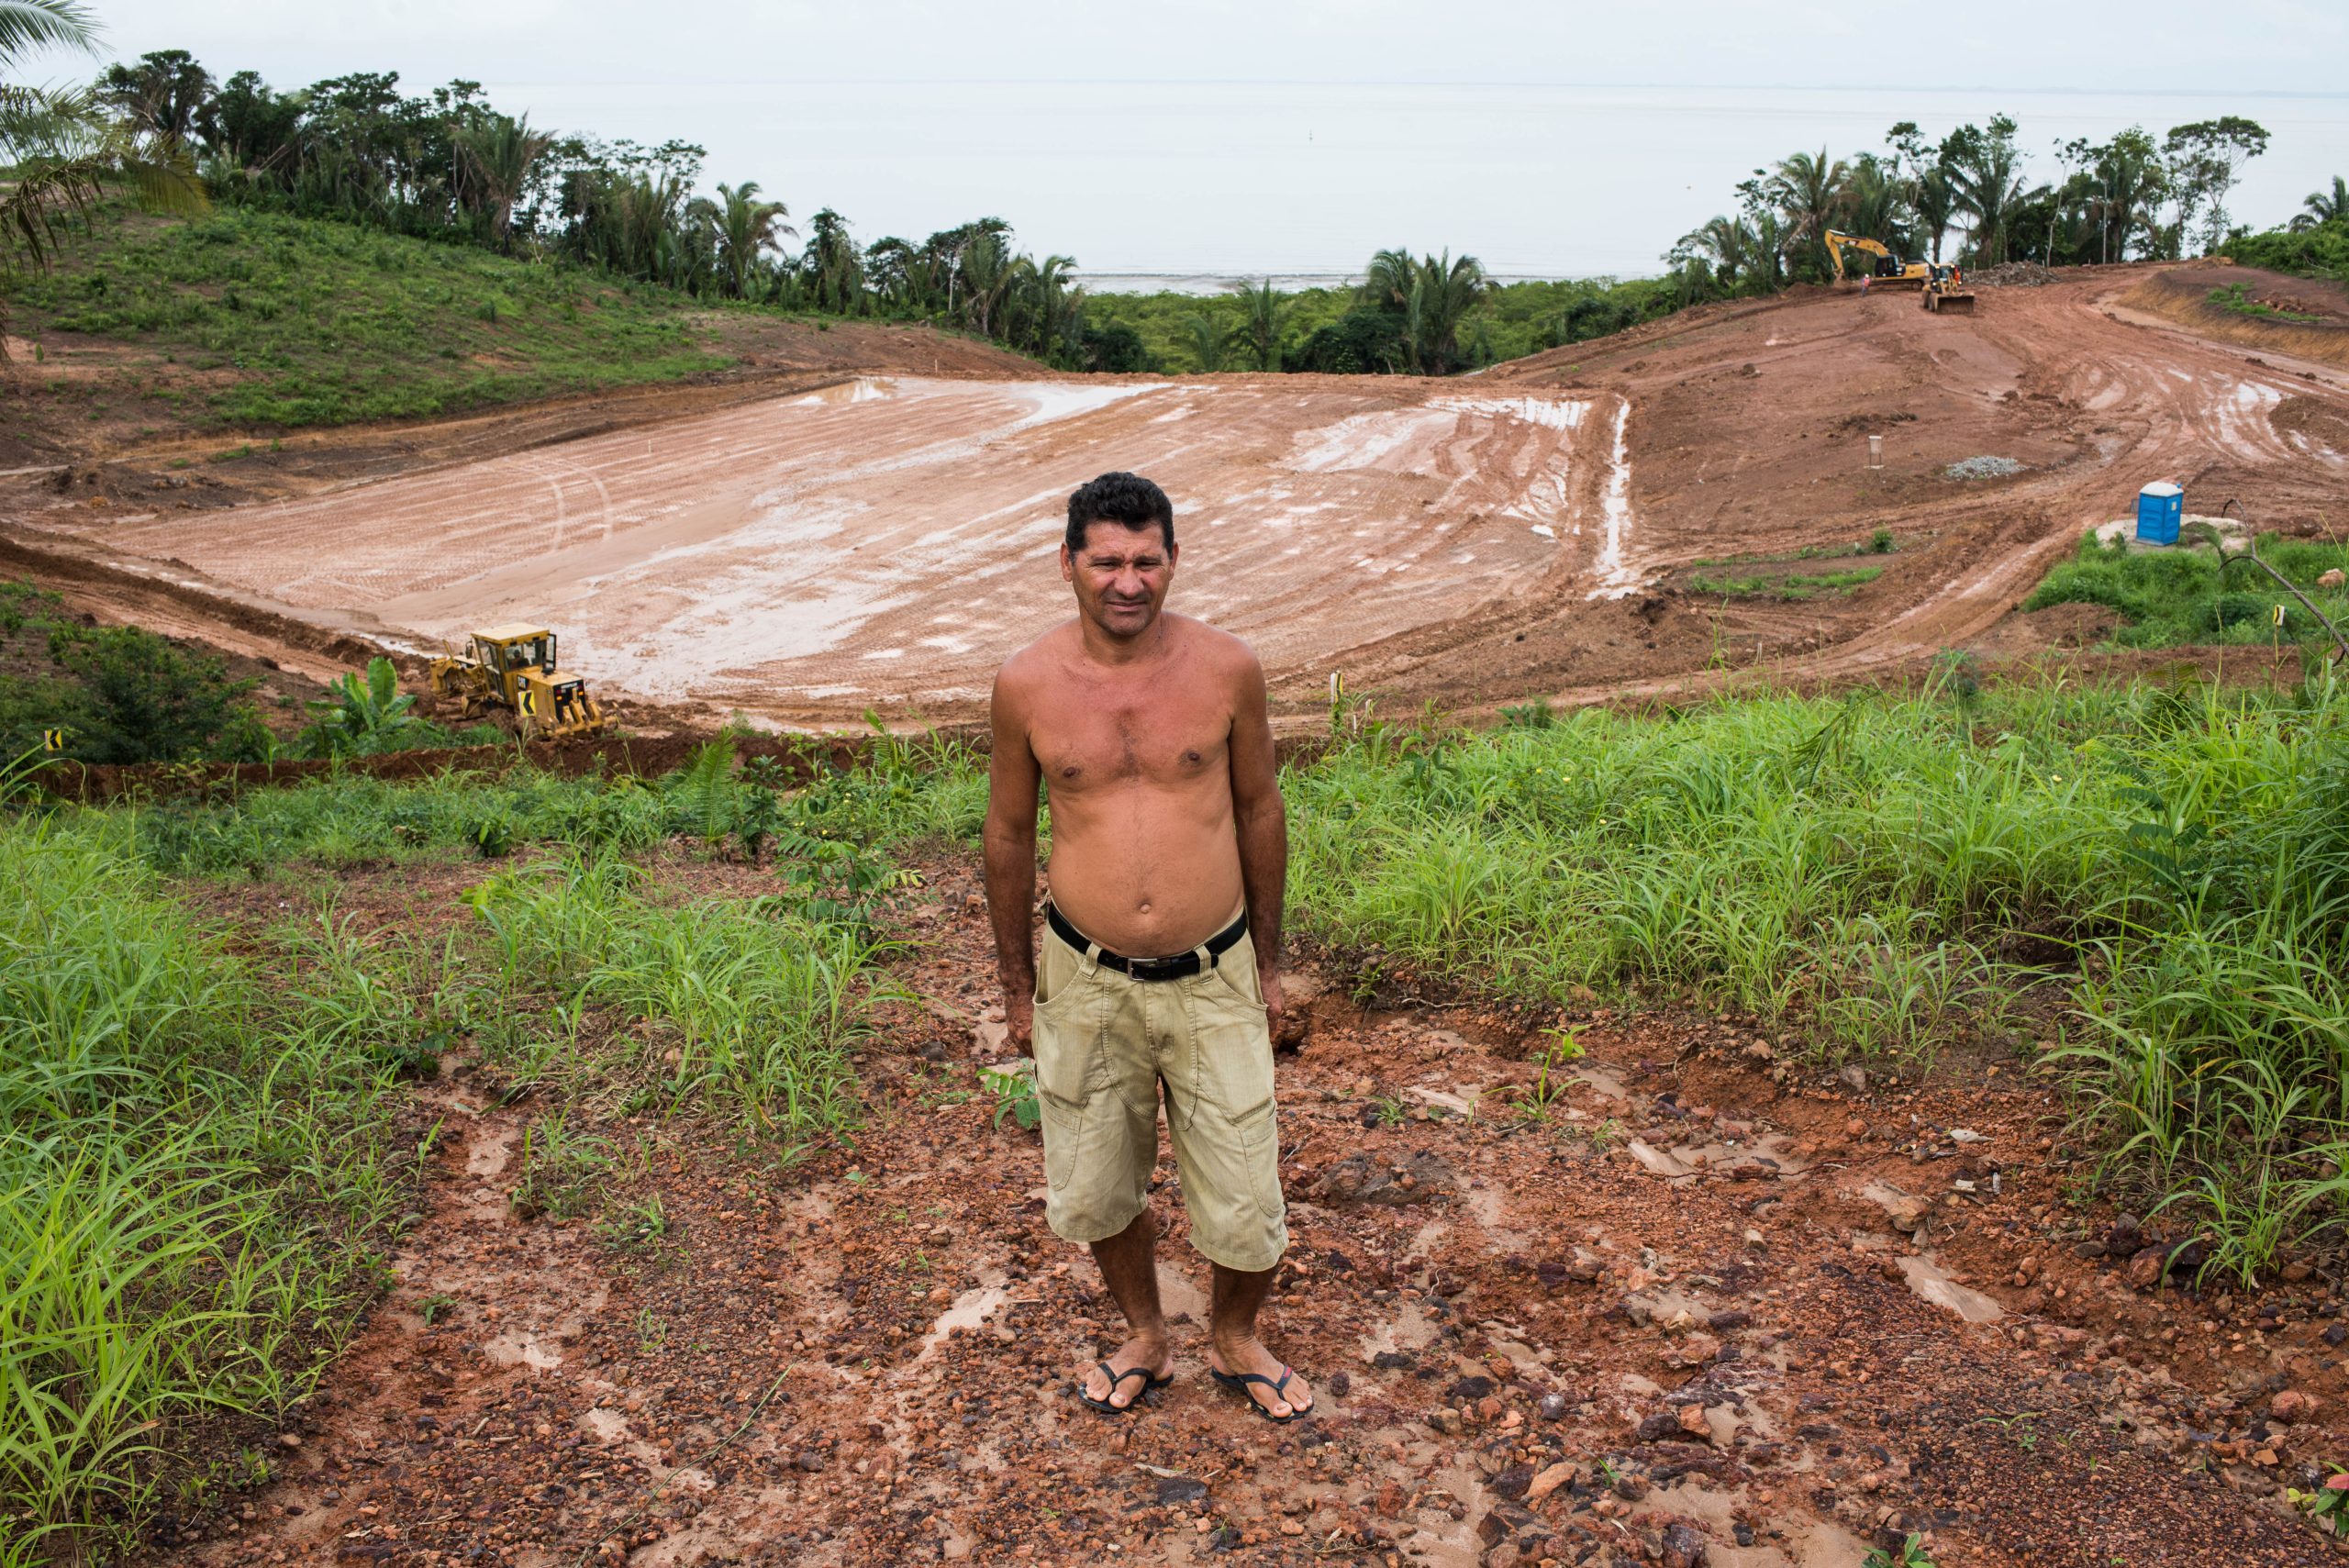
column 452, row 168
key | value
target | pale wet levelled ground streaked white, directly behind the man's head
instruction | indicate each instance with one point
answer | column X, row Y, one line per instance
column 891, row 539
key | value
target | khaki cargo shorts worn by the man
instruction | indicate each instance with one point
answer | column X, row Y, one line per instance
column 1105, row 1043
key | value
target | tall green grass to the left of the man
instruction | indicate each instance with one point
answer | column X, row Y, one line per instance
column 196, row 1128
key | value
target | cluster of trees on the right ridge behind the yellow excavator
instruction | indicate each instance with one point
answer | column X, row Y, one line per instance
column 1970, row 198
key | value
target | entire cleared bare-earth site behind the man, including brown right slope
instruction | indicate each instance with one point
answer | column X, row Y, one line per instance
column 1544, row 529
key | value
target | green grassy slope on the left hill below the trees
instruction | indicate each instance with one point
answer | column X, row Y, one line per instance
column 250, row 318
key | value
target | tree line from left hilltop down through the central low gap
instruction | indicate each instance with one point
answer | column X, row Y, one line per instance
column 450, row 165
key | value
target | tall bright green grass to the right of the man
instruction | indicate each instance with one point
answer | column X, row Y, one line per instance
column 2151, row 886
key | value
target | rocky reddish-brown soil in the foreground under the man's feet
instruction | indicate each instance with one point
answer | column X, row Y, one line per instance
column 1714, row 1309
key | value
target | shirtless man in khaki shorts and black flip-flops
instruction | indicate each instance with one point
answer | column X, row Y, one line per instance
column 1162, row 938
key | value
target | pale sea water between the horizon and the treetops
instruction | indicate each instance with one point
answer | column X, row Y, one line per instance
column 1197, row 182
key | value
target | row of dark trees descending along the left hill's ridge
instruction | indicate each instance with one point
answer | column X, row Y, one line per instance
column 450, row 165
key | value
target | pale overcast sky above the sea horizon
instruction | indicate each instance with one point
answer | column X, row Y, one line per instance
column 2247, row 46
